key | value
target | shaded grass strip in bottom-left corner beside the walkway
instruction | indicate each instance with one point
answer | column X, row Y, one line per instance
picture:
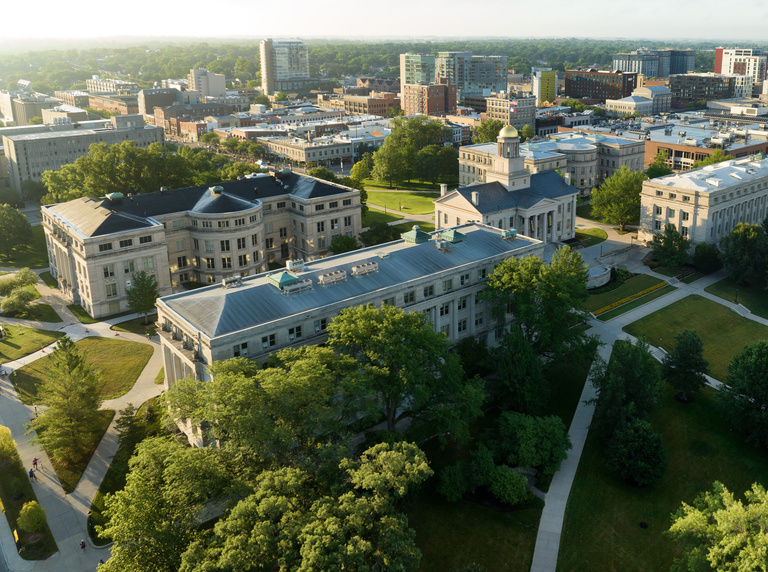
column 15, row 490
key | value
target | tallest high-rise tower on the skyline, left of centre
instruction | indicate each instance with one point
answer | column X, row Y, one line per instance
column 284, row 65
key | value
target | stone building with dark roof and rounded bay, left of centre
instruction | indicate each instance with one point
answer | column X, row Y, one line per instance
column 203, row 234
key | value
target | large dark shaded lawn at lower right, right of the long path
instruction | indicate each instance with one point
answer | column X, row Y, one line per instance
column 601, row 529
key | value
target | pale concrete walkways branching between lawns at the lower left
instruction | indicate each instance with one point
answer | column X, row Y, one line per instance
column 67, row 514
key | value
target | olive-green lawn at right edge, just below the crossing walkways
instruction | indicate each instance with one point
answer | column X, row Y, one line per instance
column 724, row 332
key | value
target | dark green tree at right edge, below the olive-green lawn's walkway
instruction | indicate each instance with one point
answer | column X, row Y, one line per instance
column 745, row 399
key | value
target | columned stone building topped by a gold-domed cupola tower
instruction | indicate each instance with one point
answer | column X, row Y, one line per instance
column 538, row 205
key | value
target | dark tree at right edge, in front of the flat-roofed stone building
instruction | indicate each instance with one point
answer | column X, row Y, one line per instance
column 745, row 253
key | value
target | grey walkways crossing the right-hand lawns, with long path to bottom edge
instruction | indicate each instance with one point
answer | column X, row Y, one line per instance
column 551, row 523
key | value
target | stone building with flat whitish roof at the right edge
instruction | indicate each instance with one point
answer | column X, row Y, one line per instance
column 706, row 204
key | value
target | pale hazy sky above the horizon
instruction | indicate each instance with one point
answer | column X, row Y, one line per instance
column 663, row 19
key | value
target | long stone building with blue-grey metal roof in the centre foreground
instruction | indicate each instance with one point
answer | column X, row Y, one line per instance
column 439, row 274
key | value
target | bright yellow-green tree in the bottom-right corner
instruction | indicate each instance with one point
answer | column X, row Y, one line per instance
column 720, row 532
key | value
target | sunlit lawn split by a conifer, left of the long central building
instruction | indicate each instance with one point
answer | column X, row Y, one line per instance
column 120, row 363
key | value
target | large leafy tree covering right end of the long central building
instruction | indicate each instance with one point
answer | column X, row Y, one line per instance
column 543, row 298
